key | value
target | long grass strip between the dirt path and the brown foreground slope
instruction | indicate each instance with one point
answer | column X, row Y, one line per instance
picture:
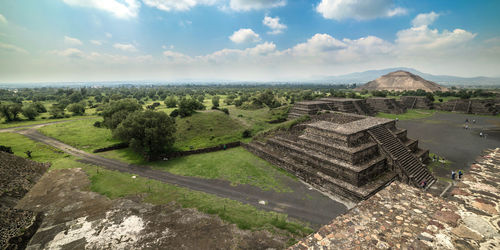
column 116, row 184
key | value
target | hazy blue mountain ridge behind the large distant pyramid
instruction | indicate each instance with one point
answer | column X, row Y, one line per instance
column 366, row 76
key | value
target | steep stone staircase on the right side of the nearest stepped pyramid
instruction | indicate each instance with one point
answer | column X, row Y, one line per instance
column 402, row 157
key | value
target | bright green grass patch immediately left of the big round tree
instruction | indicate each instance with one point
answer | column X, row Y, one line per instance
column 81, row 134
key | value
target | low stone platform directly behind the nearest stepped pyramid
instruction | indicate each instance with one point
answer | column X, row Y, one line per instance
column 346, row 105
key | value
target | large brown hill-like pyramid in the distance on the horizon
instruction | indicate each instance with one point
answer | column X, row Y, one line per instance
column 400, row 81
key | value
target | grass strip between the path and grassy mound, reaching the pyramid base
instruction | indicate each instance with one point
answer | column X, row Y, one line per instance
column 235, row 165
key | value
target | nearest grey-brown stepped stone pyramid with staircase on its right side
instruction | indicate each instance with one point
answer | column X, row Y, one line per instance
column 347, row 155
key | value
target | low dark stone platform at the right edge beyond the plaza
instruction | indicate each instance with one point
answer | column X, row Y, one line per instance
column 472, row 106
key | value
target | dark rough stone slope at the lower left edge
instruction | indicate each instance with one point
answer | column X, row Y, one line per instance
column 17, row 177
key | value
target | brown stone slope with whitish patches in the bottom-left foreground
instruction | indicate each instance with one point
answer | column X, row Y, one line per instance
column 78, row 218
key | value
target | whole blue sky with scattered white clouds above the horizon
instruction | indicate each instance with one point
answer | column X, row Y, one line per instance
column 243, row 40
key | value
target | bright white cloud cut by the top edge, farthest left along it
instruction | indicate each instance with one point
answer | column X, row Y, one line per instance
column 120, row 9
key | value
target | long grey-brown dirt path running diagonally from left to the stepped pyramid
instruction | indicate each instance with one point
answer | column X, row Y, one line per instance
column 303, row 203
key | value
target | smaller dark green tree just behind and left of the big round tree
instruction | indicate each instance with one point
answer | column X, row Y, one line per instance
column 117, row 111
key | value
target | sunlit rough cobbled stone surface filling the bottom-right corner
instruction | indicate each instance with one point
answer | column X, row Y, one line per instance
column 401, row 216
